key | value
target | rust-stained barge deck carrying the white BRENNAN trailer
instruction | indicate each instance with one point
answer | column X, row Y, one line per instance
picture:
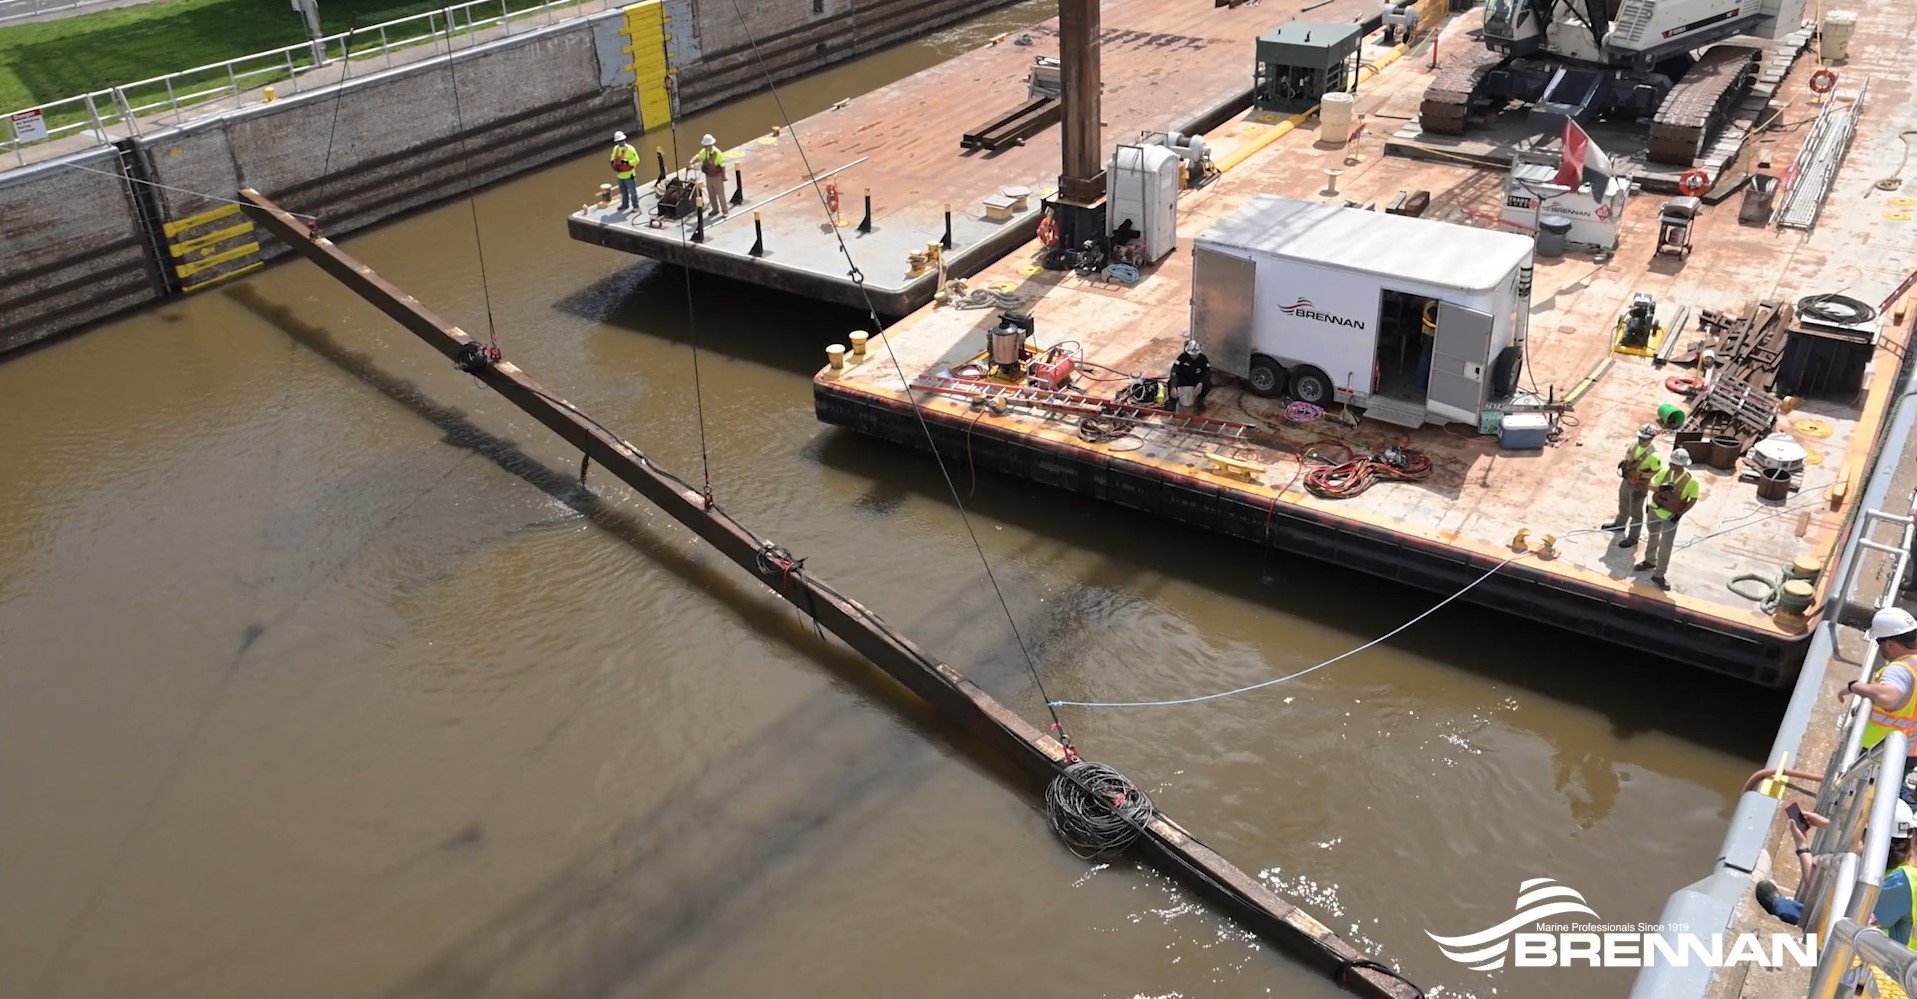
column 1450, row 530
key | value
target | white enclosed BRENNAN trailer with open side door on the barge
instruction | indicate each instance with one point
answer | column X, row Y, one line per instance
column 1333, row 304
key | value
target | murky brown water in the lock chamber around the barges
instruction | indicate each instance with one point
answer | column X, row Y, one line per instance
column 321, row 678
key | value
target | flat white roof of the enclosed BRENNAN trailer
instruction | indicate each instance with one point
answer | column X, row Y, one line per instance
column 1374, row 243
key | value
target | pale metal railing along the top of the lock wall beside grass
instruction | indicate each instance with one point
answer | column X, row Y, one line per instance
column 172, row 95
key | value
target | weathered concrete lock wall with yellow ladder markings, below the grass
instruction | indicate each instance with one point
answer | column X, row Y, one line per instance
column 81, row 246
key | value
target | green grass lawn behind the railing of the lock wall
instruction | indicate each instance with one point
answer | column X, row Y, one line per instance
column 72, row 57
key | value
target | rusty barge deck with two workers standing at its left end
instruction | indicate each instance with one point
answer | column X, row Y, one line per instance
column 1182, row 68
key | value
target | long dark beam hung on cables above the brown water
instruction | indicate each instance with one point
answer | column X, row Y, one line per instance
column 1170, row 847
